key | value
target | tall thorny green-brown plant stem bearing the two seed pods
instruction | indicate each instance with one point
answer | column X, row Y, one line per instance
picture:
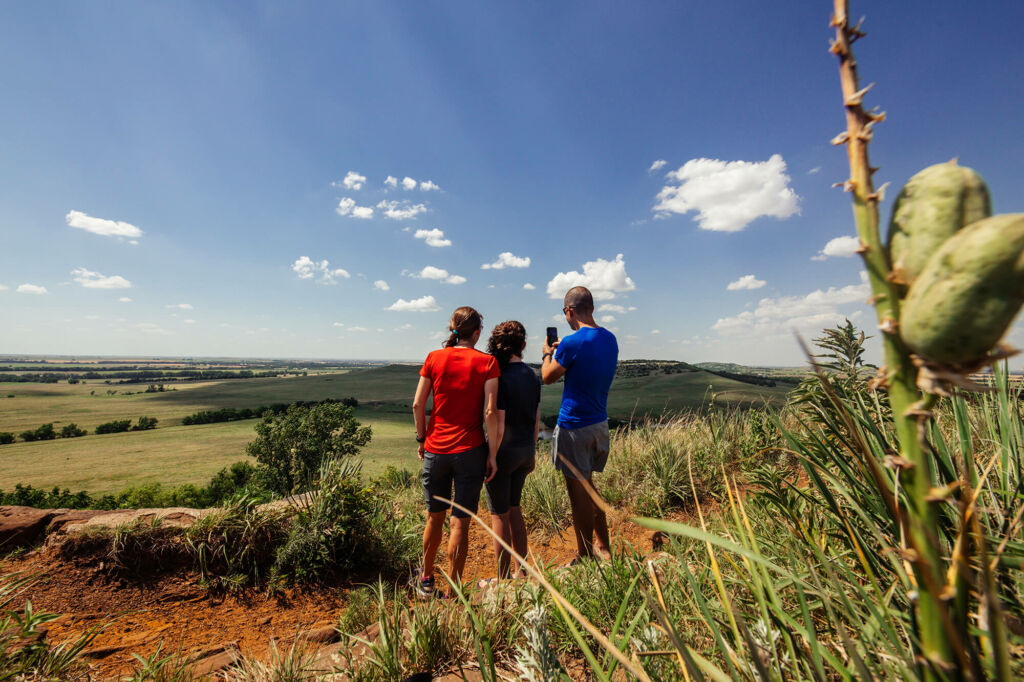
column 933, row 622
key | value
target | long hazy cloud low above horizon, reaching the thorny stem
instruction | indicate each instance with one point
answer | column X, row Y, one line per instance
column 810, row 313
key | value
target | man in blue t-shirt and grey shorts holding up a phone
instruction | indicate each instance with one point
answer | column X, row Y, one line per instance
column 580, row 446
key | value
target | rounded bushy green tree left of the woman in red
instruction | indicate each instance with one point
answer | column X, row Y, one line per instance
column 290, row 448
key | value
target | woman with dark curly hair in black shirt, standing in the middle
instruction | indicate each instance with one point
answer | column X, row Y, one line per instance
column 520, row 410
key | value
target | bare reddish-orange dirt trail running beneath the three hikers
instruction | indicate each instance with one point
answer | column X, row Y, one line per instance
column 179, row 612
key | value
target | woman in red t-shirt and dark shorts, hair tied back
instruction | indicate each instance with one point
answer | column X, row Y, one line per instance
column 452, row 446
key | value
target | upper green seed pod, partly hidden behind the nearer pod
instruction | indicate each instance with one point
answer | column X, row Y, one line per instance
column 933, row 206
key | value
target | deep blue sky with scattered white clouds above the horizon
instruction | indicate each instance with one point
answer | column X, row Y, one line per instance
column 193, row 158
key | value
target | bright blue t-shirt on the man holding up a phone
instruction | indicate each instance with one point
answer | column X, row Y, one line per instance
column 589, row 357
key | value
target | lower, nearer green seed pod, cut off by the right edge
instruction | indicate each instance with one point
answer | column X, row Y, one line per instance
column 968, row 294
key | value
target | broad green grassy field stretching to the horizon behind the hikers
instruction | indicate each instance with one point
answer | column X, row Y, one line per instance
column 174, row 454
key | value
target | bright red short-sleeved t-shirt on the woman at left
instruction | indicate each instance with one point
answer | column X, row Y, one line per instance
column 457, row 376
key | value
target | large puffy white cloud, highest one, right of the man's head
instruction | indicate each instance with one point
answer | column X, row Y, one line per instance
column 729, row 196
